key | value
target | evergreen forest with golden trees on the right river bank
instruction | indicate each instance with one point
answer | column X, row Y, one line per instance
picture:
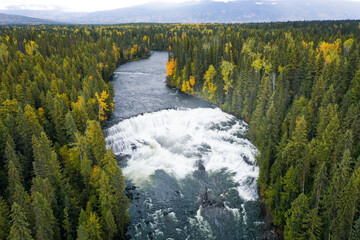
column 297, row 85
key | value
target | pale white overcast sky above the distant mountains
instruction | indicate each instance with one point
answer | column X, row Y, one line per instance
column 95, row 5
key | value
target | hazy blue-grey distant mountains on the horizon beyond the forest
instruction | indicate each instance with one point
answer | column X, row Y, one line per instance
column 206, row 11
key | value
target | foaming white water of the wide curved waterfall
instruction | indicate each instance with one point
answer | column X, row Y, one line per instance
column 175, row 140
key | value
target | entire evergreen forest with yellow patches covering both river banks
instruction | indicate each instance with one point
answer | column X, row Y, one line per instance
column 296, row 84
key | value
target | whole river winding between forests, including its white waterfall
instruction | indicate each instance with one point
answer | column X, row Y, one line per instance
column 190, row 172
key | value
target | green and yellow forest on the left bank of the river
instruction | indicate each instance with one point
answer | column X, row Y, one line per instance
column 57, row 179
